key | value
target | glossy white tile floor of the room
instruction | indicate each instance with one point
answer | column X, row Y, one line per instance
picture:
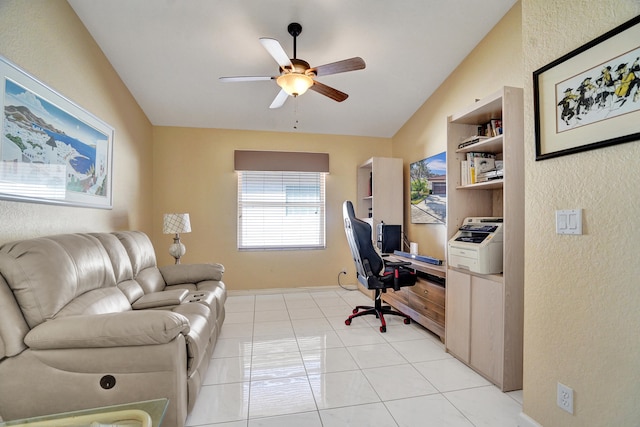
column 288, row 359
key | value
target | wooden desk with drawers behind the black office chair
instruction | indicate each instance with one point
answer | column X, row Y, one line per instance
column 425, row 301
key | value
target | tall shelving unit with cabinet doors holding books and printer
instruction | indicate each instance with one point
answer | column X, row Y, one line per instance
column 484, row 313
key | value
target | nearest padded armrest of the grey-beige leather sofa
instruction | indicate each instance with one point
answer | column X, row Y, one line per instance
column 129, row 328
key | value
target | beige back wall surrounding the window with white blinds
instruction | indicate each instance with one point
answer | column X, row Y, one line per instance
column 193, row 172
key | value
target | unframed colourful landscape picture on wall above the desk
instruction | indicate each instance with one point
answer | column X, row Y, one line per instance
column 428, row 186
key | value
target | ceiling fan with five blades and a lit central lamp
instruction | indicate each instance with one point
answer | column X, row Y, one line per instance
column 296, row 76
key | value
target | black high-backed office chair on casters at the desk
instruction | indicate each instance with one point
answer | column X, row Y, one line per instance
column 371, row 270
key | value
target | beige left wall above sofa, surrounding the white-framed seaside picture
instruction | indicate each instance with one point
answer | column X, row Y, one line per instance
column 47, row 39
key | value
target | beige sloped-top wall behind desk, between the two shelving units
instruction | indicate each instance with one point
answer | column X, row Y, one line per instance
column 495, row 62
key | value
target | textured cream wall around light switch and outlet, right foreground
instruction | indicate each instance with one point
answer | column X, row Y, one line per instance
column 582, row 293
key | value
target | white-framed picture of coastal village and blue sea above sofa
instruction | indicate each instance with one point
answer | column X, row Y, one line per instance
column 51, row 150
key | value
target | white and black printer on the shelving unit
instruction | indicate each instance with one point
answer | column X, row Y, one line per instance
column 477, row 246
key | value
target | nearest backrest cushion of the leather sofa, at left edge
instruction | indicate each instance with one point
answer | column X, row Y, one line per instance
column 47, row 273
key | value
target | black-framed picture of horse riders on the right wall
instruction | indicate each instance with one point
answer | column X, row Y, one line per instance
column 590, row 97
